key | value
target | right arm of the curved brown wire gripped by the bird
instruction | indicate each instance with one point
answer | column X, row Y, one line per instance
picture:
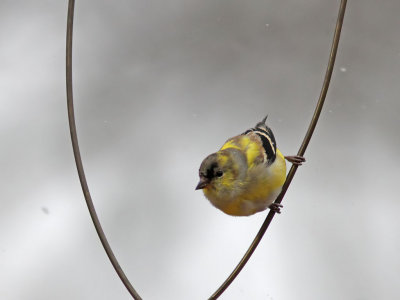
column 303, row 147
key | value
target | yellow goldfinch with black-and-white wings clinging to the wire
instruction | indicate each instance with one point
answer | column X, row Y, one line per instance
column 247, row 174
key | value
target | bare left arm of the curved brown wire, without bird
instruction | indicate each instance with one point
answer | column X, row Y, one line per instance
column 78, row 160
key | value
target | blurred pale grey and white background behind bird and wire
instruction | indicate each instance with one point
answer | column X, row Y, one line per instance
column 158, row 86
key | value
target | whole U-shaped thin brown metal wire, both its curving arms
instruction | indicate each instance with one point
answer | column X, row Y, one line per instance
column 264, row 227
